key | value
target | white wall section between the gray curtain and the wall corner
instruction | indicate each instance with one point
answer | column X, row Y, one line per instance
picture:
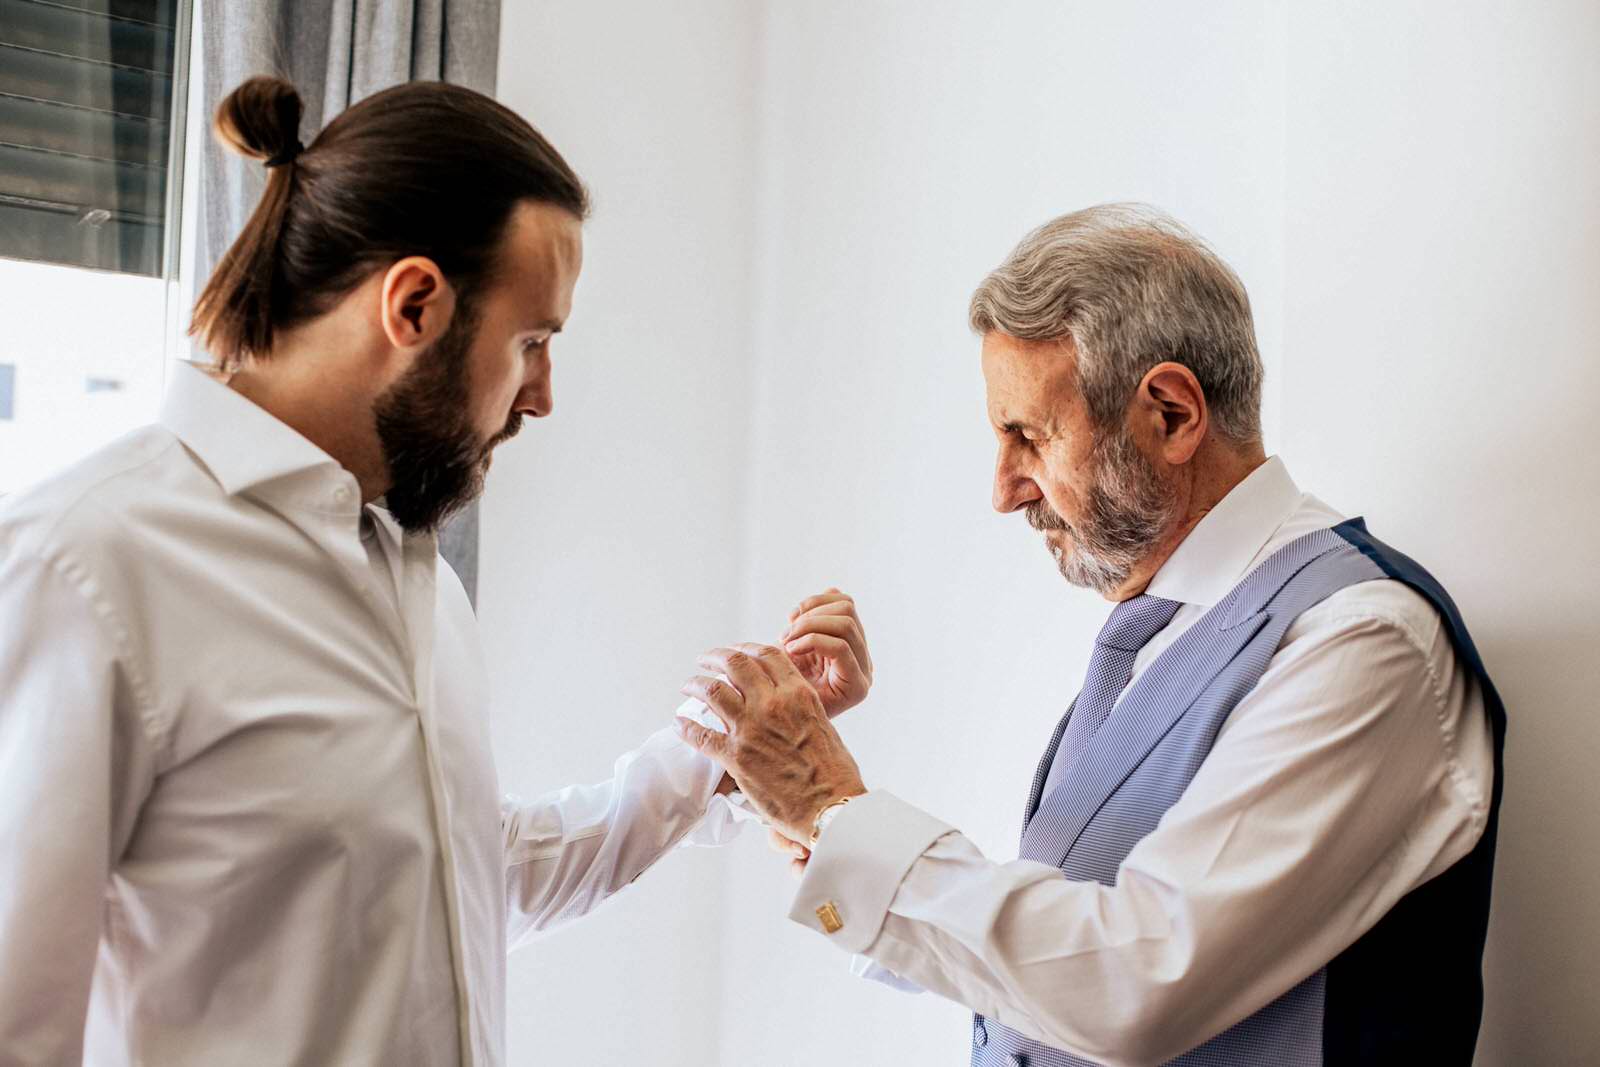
column 612, row 530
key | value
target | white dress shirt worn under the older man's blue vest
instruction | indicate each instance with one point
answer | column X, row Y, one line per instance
column 1354, row 772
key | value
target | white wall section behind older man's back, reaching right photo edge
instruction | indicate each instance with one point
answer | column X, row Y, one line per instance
column 1442, row 351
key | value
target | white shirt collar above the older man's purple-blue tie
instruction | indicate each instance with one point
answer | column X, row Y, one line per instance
column 1220, row 549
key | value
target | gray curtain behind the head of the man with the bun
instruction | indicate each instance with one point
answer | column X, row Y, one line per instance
column 337, row 52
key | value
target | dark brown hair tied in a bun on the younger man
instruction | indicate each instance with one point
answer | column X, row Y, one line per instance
column 425, row 169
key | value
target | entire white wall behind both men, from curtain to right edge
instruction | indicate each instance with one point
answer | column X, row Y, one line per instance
column 794, row 204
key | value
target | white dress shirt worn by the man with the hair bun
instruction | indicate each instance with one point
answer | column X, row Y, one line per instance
column 249, row 812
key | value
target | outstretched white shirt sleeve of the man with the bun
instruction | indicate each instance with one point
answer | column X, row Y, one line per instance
column 574, row 849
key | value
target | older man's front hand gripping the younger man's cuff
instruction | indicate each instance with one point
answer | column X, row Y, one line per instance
column 780, row 748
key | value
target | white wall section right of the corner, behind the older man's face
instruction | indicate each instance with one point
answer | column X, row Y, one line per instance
column 906, row 150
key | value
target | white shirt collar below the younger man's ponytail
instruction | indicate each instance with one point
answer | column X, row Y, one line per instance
column 241, row 444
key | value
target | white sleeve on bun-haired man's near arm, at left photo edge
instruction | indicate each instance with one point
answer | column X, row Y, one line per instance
column 76, row 765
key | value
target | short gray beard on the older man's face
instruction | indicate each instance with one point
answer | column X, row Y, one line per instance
column 1127, row 511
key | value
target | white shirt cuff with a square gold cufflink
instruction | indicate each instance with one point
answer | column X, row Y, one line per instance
column 858, row 866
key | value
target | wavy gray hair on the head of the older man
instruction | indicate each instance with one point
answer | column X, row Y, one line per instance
column 1132, row 289
